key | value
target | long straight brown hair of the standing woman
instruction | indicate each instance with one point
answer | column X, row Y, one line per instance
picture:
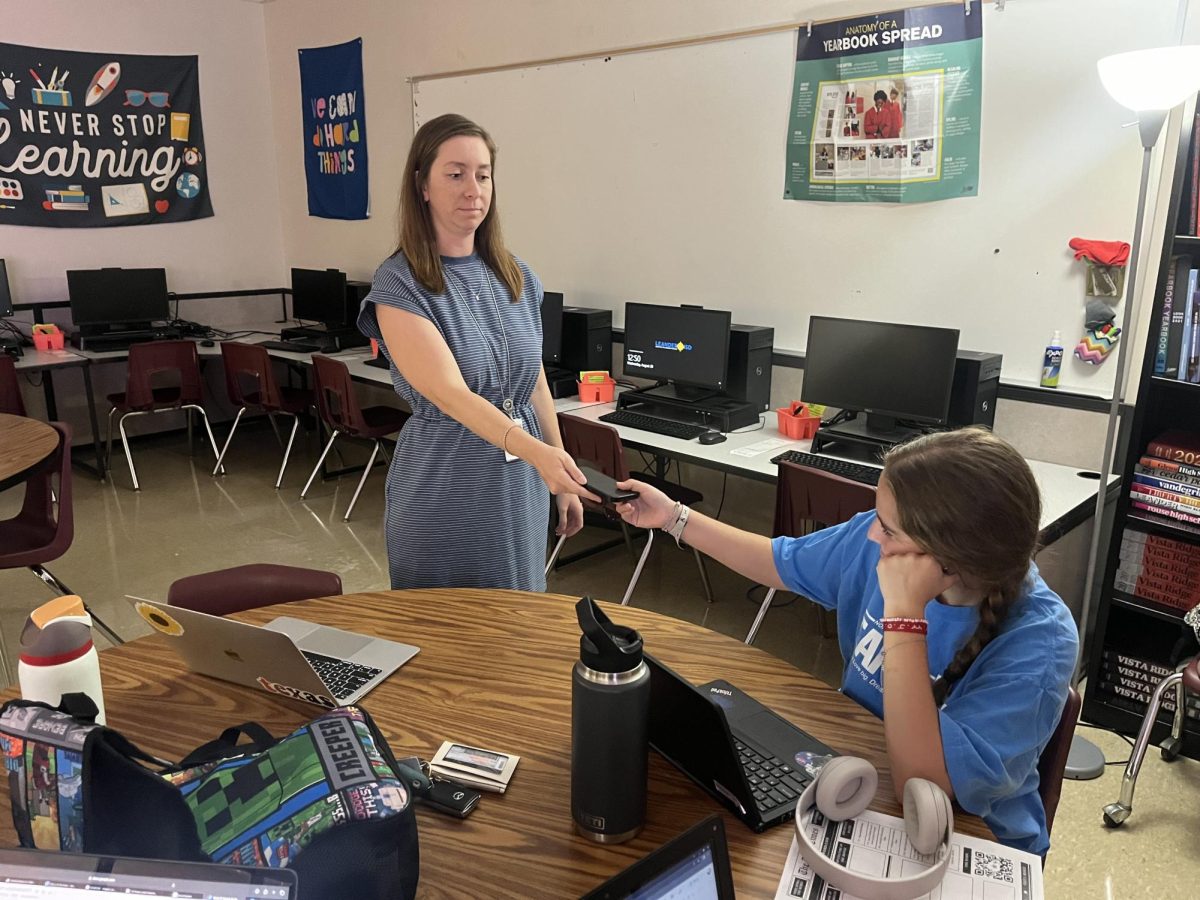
column 418, row 239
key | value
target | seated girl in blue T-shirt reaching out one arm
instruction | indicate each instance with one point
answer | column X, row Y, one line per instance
column 946, row 628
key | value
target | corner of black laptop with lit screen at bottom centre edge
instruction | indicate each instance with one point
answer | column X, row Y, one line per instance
column 694, row 866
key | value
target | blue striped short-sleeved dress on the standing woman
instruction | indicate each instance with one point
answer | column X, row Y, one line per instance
column 457, row 514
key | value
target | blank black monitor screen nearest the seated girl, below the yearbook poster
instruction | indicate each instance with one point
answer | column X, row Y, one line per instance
column 884, row 369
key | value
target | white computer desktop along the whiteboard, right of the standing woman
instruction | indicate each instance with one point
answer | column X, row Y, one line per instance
column 1069, row 495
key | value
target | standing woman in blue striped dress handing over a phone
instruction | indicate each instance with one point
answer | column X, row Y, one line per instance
column 459, row 319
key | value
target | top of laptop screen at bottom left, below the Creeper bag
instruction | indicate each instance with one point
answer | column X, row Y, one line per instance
column 53, row 875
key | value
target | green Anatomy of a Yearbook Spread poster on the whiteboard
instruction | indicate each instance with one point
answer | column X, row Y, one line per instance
column 886, row 109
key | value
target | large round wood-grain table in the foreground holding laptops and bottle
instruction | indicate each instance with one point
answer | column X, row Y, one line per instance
column 495, row 671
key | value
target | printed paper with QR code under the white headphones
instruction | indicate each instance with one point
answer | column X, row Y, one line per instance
column 874, row 843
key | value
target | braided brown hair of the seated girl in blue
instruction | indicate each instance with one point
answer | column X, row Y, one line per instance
column 970, row 501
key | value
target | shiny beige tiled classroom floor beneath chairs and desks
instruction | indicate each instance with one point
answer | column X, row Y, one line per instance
column 185, row 523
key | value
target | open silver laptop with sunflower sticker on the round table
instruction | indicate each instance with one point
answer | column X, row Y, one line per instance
column 289, row 657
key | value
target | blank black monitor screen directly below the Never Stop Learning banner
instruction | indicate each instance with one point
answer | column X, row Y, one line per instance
column 117, row 297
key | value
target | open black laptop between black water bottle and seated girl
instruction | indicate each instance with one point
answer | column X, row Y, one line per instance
column 751, row 759
